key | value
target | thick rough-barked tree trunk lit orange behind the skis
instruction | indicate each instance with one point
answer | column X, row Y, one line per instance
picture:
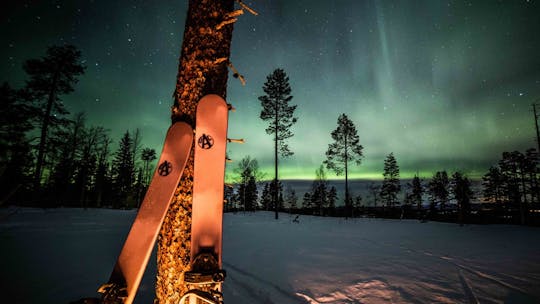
column 202, row 70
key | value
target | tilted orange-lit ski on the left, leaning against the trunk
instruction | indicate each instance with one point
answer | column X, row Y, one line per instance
column 131, row 263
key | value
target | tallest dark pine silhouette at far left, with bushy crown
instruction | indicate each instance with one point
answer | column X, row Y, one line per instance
column 52, row 76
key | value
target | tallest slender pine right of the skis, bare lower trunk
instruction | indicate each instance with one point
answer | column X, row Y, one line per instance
column 279, row 114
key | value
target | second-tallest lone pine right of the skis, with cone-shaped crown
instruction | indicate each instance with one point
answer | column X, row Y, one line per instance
column 345, row 149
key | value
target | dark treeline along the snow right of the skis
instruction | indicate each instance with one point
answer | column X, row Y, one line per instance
column 510, row 194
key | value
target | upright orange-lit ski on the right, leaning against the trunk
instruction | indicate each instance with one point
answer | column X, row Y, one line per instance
column 206, row 276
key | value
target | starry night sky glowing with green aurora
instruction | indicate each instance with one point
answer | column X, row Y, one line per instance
column 442, row 84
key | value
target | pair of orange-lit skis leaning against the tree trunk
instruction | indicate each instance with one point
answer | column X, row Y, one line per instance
column 206, row 275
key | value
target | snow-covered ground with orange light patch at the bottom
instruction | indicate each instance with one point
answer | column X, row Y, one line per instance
column 60, row 255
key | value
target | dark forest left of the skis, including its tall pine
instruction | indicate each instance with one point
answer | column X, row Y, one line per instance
column 49, row 158
